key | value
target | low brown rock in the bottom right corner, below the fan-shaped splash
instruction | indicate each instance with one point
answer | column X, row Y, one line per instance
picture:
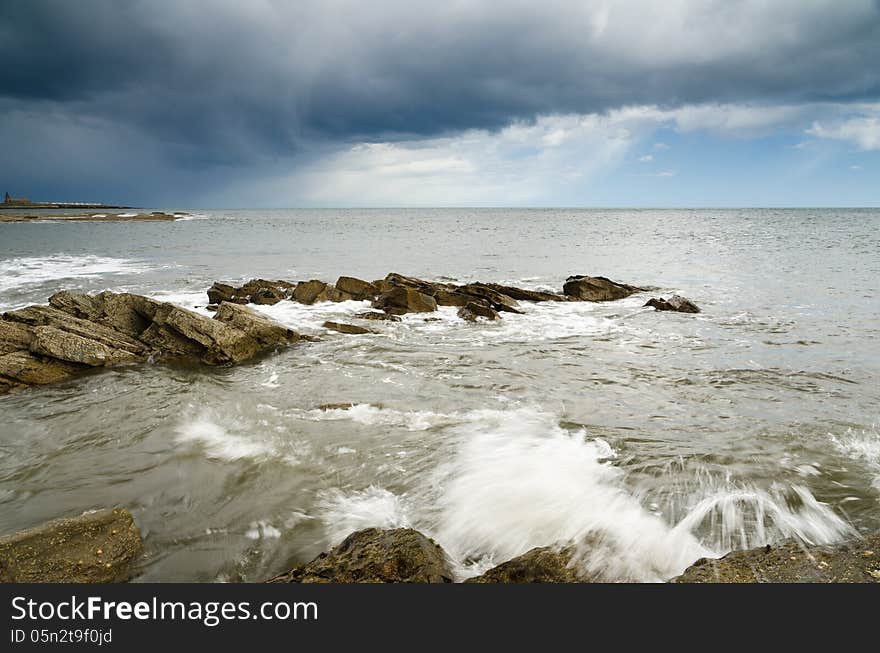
column 856, row 561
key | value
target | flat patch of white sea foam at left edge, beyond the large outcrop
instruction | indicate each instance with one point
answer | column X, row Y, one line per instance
column 34, row 270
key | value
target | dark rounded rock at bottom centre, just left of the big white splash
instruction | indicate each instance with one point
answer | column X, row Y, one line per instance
column 401, row 555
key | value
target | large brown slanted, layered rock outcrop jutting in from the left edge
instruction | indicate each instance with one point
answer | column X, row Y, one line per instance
column 76, row 332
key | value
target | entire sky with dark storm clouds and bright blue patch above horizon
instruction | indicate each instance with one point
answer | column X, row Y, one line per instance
column 339, row 103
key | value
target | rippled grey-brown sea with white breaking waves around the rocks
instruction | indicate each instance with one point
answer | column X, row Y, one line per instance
column 656, row 437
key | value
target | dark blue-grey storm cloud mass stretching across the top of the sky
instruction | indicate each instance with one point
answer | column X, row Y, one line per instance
column 224, row 83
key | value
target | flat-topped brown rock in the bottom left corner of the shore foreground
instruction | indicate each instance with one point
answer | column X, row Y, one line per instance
column 97, row 547
